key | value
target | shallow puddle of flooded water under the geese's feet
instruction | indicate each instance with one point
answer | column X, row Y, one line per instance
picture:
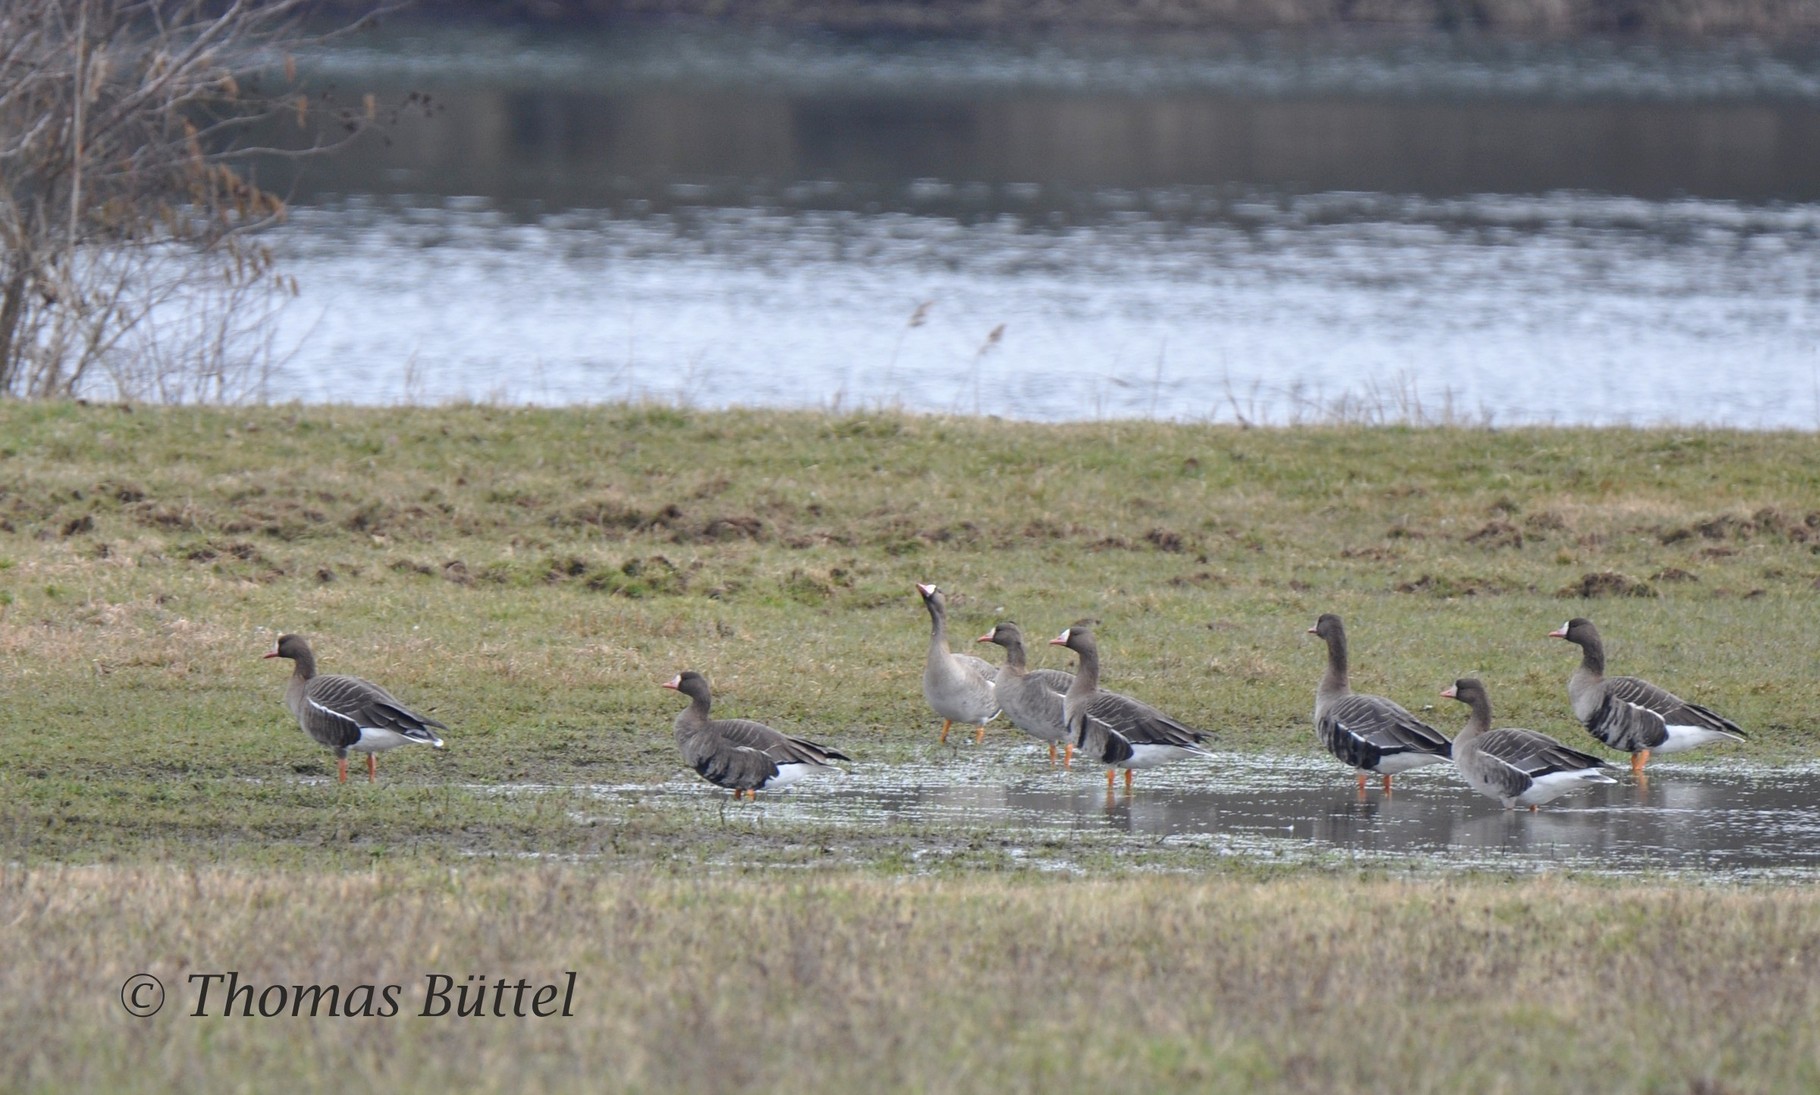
column 1724, row 823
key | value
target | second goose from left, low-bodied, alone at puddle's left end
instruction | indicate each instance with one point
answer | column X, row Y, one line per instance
column 738, row 754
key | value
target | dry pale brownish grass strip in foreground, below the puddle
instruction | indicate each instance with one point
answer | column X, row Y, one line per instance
column 836, row 983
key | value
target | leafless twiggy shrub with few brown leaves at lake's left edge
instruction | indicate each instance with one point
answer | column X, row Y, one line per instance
column 130, row 197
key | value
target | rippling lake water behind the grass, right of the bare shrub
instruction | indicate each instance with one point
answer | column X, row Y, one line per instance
column 1208, row 230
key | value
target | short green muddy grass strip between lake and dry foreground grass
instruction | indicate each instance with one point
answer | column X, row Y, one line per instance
column 532, row 576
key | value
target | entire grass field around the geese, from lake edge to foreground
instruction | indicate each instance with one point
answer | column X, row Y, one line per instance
column 532, row 576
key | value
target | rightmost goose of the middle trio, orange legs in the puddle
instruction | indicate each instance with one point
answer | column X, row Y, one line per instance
column 1115, row 728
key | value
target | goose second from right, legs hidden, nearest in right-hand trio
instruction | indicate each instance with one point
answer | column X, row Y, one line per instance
column 1517, row 767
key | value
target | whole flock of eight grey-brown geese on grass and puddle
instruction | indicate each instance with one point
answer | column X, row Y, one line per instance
column 1370, row 734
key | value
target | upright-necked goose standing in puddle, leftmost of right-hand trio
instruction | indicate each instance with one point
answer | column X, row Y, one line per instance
column 1366, row 732
